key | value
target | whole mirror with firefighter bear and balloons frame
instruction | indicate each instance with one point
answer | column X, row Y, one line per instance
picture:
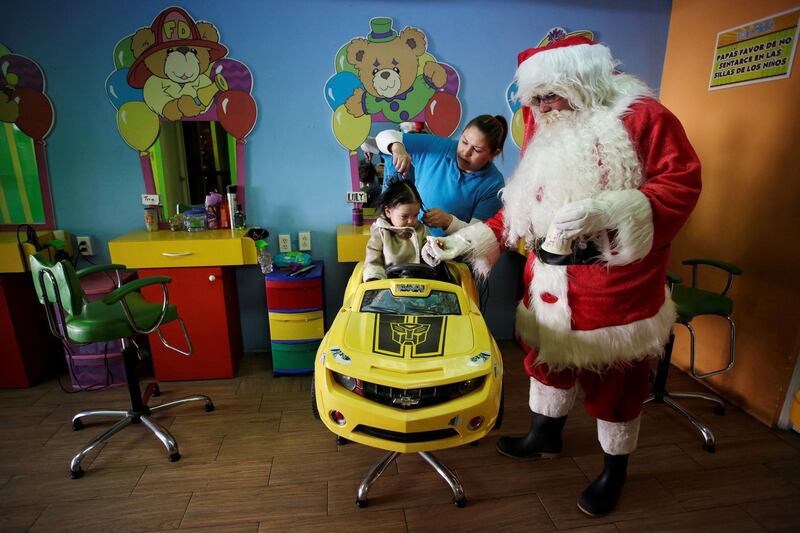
column 185, row 105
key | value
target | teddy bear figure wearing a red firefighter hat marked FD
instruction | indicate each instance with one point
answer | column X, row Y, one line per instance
column 172, row 58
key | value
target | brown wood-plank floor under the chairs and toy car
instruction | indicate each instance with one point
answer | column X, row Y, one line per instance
column 260, row 462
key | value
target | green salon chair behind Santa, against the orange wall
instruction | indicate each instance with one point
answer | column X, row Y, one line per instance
column 690, row 303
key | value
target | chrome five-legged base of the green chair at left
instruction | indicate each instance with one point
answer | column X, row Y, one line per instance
column 137, row 414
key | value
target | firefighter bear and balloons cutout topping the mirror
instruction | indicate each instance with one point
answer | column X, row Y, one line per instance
column 221, row 91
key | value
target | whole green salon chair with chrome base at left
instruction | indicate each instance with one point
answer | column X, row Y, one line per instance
column 122, row 314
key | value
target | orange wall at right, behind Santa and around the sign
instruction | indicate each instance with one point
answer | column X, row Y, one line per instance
column 748, row 139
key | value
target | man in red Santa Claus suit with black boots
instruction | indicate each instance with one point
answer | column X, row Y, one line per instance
column 606, row 180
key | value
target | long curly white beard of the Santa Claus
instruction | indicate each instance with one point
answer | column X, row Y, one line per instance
column 573, row 155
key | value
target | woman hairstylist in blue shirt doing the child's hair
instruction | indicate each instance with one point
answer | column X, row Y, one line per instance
column 456, row 178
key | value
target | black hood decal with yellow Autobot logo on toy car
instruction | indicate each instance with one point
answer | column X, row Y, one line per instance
column 409, row 336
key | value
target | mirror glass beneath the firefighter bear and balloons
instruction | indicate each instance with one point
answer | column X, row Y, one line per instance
column 190, row 160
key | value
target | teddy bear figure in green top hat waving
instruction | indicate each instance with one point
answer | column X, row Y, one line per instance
column 387, row 64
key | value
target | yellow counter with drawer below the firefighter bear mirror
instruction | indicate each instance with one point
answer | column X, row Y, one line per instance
column 167, row 249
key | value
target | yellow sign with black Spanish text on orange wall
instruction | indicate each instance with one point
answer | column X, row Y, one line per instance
column 758, row 51
